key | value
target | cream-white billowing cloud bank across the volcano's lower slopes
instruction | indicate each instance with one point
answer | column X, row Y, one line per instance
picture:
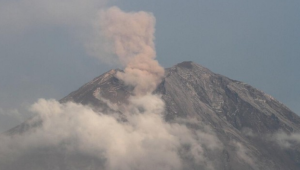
column 144, row 141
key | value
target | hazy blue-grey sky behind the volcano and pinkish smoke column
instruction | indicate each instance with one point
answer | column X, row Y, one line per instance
column 44, row 54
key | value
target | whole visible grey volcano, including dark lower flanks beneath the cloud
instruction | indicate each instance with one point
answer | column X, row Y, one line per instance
column 255, row 130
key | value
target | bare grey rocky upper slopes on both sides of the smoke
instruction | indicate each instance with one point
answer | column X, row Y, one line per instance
column 233, row 109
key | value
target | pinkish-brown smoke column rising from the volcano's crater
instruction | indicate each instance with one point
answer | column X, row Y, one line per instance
column 130, row 37
